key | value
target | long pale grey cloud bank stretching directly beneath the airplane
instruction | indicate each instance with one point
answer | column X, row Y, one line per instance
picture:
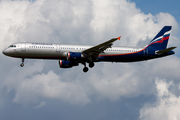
column 76, row 87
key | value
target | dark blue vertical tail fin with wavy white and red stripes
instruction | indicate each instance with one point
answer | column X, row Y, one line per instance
column 160, row 41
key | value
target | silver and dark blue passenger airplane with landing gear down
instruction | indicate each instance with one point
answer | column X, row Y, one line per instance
column 72, row 55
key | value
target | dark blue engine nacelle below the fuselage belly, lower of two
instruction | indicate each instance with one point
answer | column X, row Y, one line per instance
column 66, row 64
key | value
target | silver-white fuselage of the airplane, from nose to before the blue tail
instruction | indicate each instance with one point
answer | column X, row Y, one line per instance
column 57, row 51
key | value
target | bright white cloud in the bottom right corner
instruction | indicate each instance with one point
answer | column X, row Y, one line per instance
column 166, row 106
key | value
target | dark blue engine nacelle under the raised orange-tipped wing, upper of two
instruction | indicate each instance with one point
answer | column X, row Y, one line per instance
column 74, row 56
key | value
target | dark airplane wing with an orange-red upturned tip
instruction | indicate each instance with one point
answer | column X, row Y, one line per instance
column 93, row 52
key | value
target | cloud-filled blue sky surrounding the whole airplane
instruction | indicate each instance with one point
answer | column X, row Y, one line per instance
column 128, row 91
